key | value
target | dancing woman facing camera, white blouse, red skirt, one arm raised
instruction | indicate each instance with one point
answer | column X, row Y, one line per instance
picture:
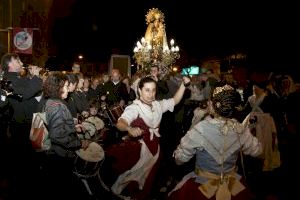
column 137, row 161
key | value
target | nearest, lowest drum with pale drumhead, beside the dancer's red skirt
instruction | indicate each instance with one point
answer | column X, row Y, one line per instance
column 88, row 161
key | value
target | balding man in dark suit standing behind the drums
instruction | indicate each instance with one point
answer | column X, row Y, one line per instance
column 114, row 91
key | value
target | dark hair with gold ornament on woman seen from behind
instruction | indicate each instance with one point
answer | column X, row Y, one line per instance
column 225, row 101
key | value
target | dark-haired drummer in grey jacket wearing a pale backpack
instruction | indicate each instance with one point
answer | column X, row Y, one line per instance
column 57, row 163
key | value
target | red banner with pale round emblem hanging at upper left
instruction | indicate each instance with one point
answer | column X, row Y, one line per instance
column 22, row 39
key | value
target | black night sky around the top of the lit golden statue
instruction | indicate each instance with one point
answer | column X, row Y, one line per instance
column 268, row 33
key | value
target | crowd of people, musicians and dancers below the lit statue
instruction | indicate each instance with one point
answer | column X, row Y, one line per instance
column 175, row 137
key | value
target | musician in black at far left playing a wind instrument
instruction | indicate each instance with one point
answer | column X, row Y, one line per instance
column 22, row 90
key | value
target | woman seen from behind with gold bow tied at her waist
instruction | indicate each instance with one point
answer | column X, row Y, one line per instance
column 216, row 141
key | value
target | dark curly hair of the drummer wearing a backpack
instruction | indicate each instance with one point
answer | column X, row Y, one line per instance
column 53, row 85
